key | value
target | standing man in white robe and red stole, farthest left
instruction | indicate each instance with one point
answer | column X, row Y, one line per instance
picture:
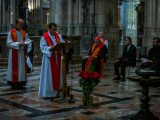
column 17, row 40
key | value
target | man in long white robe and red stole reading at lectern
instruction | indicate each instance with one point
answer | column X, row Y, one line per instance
column 51, row 72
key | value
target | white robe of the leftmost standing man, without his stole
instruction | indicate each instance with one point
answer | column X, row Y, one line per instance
column 21, row 57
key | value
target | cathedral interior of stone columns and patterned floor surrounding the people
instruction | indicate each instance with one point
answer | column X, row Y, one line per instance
column 81, row 20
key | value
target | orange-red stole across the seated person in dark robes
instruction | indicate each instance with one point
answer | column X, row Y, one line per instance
column 94, row 52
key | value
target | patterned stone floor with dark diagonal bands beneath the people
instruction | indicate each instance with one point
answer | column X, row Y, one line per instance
column 113, row 100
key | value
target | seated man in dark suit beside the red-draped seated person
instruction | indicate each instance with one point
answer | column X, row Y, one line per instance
column 128, row 58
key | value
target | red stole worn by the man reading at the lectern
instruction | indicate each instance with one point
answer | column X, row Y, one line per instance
column 55, row 67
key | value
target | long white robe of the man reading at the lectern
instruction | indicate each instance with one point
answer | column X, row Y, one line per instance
column 45, row 85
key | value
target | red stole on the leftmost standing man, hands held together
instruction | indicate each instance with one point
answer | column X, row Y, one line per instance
column 15, row 55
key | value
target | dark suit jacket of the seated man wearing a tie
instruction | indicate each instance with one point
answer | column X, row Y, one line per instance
column 130, row 55
